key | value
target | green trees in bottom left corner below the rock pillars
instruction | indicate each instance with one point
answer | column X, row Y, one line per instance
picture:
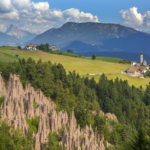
column 14, row 139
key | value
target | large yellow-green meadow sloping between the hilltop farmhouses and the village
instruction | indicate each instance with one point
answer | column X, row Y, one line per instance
column 82, row 66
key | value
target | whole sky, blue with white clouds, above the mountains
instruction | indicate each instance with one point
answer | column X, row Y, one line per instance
column 42, row 15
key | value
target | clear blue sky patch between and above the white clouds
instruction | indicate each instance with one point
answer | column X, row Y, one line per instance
column 106, row 10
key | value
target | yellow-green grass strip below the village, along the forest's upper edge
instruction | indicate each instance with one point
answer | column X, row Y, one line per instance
column 137, row 82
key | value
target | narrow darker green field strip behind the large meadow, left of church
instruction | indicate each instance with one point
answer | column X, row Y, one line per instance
column 107, row 59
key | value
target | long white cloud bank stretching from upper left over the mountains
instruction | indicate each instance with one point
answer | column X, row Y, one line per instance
column 39, row 15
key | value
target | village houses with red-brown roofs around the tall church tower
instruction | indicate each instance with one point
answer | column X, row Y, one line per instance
column 138, row 68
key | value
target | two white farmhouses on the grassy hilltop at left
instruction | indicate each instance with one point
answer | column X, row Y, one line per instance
column 35, row 47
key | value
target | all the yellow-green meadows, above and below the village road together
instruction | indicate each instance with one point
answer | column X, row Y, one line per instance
column 82, row 66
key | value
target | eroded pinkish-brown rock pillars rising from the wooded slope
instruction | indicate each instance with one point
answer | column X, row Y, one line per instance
column 18, row 105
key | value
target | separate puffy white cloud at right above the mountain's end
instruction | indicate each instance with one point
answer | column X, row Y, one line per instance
column 135, row 19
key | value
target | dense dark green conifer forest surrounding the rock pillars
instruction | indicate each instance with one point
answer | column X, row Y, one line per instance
column 131, row 105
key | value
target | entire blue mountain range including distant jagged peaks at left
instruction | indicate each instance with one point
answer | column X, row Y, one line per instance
column 82, row 38
